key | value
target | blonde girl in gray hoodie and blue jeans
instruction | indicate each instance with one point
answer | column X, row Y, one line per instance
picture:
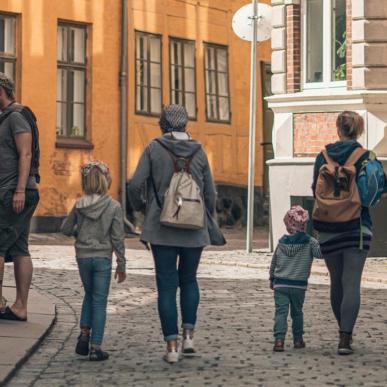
column 96, row 222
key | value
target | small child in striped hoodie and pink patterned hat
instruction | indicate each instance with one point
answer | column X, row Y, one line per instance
column 289, row 272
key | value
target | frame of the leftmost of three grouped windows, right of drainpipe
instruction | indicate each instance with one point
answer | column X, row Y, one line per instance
column 148, row 86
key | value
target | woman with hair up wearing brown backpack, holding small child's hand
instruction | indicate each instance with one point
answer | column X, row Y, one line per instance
column 345, row 252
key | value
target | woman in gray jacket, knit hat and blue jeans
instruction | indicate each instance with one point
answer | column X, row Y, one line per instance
column 176, row 252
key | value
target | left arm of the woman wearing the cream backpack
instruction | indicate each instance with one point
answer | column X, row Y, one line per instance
column 137, row 182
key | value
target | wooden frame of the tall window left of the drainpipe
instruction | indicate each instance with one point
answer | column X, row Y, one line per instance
column 84, row 67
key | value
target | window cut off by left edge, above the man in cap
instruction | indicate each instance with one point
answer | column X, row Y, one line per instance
column 8, row 45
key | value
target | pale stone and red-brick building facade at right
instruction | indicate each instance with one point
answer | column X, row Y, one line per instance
column 328, row 56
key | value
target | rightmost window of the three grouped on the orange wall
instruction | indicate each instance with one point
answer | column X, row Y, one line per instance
column 217, row 88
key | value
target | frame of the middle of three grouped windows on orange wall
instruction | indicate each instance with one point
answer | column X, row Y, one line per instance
column 183, row 42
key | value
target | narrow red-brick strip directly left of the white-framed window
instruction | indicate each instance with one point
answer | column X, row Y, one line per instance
column 293, row 56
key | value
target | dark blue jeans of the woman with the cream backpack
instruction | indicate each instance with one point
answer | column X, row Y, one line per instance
column 170, row 276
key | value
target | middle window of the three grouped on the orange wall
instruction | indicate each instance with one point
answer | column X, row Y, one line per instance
column 183, row 74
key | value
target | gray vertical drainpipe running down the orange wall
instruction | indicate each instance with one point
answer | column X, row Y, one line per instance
column 124, row 108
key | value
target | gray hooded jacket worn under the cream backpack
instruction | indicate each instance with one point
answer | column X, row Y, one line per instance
column 156, row 161
